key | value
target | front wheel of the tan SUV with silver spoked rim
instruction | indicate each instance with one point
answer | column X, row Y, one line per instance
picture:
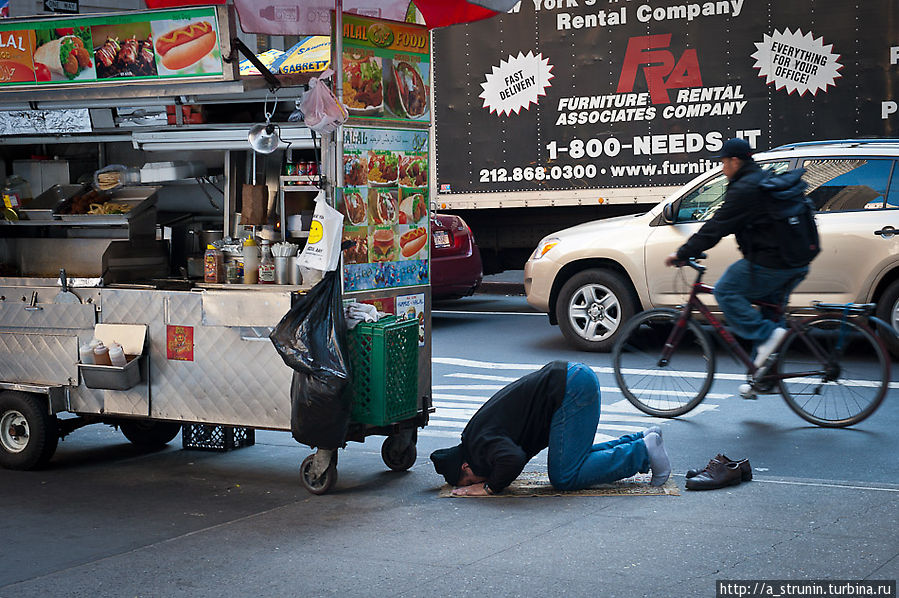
column 592, row 307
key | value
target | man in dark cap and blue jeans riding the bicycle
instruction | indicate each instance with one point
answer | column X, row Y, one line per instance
column 762, row 274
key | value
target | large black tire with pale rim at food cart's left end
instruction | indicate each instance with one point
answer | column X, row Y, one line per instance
column 28, row 432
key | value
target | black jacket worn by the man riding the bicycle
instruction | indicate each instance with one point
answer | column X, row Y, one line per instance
column 744, row 213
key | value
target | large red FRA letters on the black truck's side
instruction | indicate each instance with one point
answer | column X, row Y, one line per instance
column 659, row 66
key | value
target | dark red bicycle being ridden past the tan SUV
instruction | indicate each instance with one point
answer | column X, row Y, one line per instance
column 809, row 366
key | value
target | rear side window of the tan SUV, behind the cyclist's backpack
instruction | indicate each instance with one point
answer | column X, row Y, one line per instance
column 838, row 185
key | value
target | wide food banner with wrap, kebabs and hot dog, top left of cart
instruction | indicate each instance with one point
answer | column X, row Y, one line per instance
column 110, row 49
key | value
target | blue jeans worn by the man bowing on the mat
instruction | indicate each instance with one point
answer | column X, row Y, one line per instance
column 574, row 461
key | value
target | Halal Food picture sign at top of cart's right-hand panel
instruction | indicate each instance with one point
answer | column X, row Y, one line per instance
column 386, row 69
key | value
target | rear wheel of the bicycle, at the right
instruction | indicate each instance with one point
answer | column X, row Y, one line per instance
column 834, row 391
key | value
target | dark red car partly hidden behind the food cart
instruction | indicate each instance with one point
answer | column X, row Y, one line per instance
column 456, row 269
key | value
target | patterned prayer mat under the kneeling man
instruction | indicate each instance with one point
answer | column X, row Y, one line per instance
column 533, row 483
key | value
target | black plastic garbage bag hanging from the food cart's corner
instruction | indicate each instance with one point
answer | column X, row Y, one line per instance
column 311, row 339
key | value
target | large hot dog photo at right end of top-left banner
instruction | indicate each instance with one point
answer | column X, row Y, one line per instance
column 187, row 47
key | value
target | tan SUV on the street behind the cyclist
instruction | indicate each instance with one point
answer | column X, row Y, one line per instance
column 591, row 278
